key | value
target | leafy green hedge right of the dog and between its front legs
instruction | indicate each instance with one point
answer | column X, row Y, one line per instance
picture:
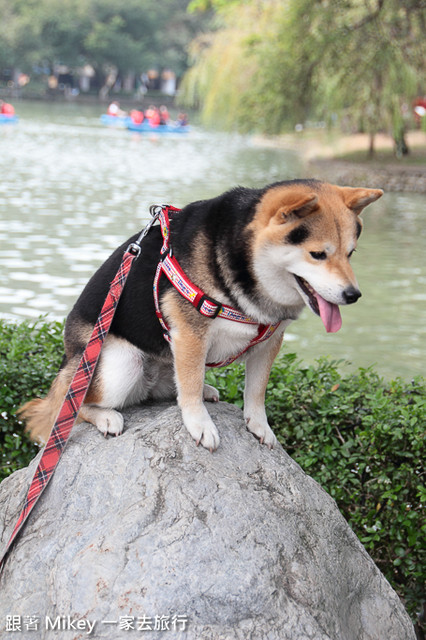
column 363, row 440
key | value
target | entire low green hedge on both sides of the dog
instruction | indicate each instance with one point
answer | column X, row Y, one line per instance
column 360, row 437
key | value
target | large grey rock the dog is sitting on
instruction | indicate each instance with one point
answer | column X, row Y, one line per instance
column 241, row 542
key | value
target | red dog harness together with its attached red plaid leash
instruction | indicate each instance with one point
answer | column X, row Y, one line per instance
column 81, row 380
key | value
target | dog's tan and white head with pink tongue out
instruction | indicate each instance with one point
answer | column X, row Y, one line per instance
column 305, row 233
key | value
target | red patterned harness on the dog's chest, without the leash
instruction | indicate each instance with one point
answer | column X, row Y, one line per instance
column 204, row 304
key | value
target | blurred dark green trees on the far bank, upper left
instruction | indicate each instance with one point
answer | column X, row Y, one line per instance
column 131, row 36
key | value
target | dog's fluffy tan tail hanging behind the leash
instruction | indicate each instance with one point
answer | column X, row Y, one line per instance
column 40, row 414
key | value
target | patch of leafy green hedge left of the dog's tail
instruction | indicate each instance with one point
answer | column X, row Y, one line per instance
column 30, row 355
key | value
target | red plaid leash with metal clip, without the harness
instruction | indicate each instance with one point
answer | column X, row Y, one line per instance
column 77, row 389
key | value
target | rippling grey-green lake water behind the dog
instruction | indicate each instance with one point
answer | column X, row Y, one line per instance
column 71, row 190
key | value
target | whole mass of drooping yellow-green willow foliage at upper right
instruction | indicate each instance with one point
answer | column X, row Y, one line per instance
column 272, row 64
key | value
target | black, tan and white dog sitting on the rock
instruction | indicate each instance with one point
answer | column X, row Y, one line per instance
column 264, row 253
